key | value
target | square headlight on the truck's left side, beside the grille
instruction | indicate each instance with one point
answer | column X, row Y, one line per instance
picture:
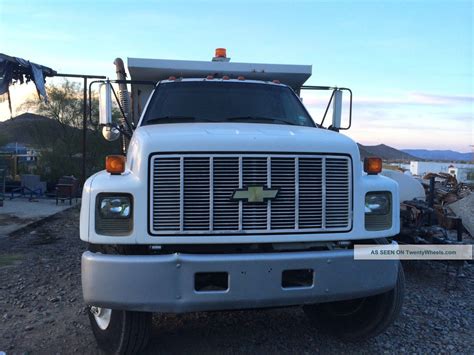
column 114, row 214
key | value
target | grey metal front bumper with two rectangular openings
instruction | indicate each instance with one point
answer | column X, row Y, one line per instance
column 165, row 283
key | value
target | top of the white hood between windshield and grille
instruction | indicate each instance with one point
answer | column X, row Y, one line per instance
column 239, row 137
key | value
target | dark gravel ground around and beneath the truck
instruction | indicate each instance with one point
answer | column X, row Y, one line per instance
column 41, row 309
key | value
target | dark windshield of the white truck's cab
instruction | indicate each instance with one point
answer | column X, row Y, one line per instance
column 204, row 101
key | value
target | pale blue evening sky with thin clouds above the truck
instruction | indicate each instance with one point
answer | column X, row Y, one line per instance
column 409, row 63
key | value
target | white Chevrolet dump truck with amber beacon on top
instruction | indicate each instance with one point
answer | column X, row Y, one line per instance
column 231, row 196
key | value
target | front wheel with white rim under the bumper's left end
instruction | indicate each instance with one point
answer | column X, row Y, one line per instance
column 120, row 332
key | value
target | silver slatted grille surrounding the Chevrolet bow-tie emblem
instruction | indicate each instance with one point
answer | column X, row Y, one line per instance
column 192, row 194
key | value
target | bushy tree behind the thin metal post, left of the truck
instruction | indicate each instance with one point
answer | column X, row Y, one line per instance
column 61, row 146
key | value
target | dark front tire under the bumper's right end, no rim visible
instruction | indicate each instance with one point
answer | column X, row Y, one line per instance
column 362, row 318
